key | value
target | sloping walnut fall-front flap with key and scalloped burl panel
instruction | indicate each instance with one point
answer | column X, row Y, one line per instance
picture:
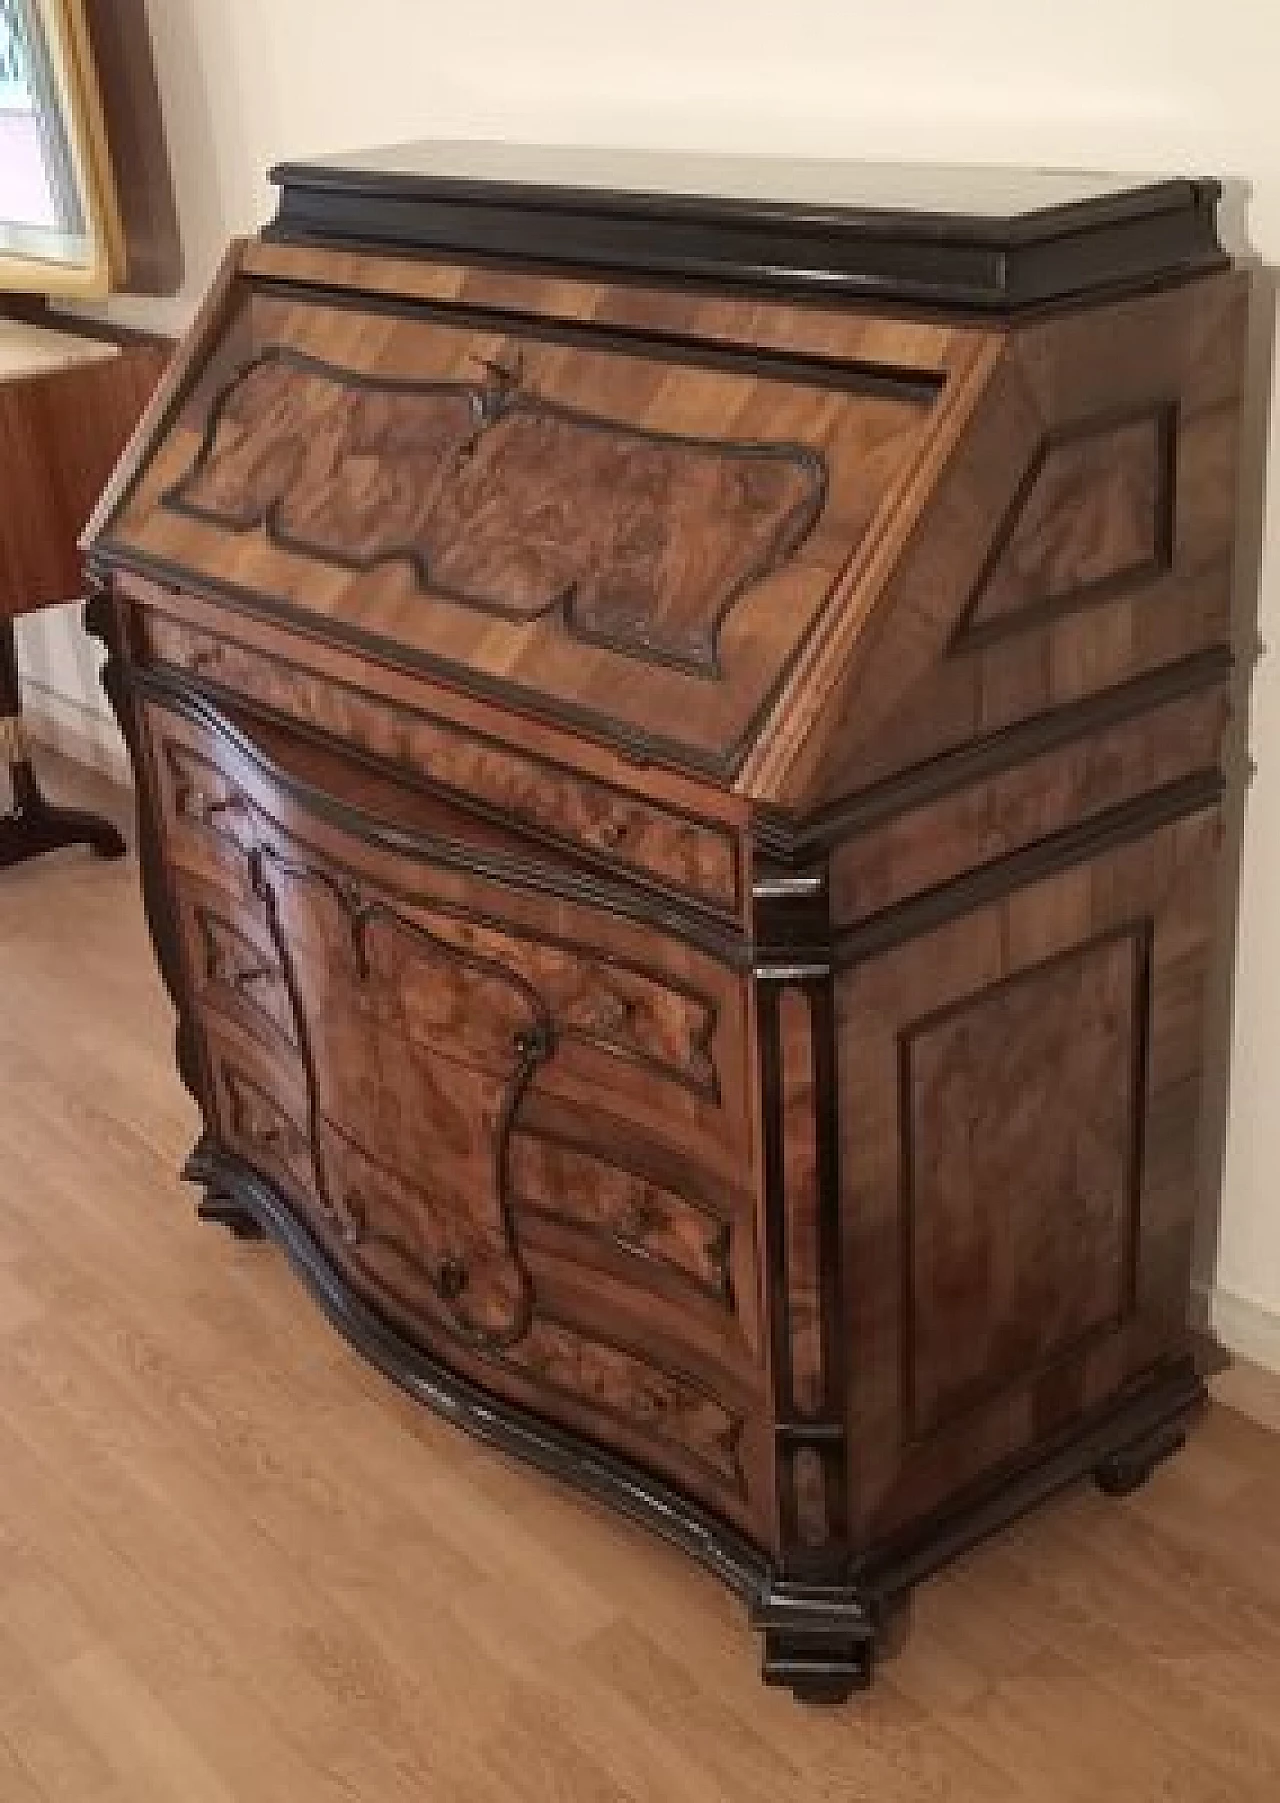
column 630, row 529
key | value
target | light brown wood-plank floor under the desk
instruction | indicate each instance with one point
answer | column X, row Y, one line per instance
column 237, row 1566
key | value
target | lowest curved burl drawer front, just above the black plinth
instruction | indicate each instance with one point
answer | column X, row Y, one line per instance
column 461, row 1288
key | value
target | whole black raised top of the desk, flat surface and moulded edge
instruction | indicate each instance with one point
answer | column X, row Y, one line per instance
column 982, row 239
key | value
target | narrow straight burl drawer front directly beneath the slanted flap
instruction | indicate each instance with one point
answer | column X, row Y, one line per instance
column 590, row 818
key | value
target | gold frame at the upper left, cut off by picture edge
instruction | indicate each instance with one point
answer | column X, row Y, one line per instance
column 87, row 262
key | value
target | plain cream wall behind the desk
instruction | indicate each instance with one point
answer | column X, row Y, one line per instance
column 1124, row 84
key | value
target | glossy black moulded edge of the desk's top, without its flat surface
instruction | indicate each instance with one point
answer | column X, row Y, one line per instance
column 994, row 268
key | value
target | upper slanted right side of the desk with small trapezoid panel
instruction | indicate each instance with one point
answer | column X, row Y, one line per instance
column 911, row 688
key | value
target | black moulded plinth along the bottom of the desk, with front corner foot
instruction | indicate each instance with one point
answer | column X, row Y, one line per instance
column 821, row 1631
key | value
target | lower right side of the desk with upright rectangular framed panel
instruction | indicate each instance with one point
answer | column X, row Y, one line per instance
column 1045, row 1027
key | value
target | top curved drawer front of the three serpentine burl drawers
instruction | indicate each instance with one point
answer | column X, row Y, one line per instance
column 646, row 1025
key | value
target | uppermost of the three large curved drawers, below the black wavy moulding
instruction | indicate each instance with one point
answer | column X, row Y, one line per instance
column 403, row 926
